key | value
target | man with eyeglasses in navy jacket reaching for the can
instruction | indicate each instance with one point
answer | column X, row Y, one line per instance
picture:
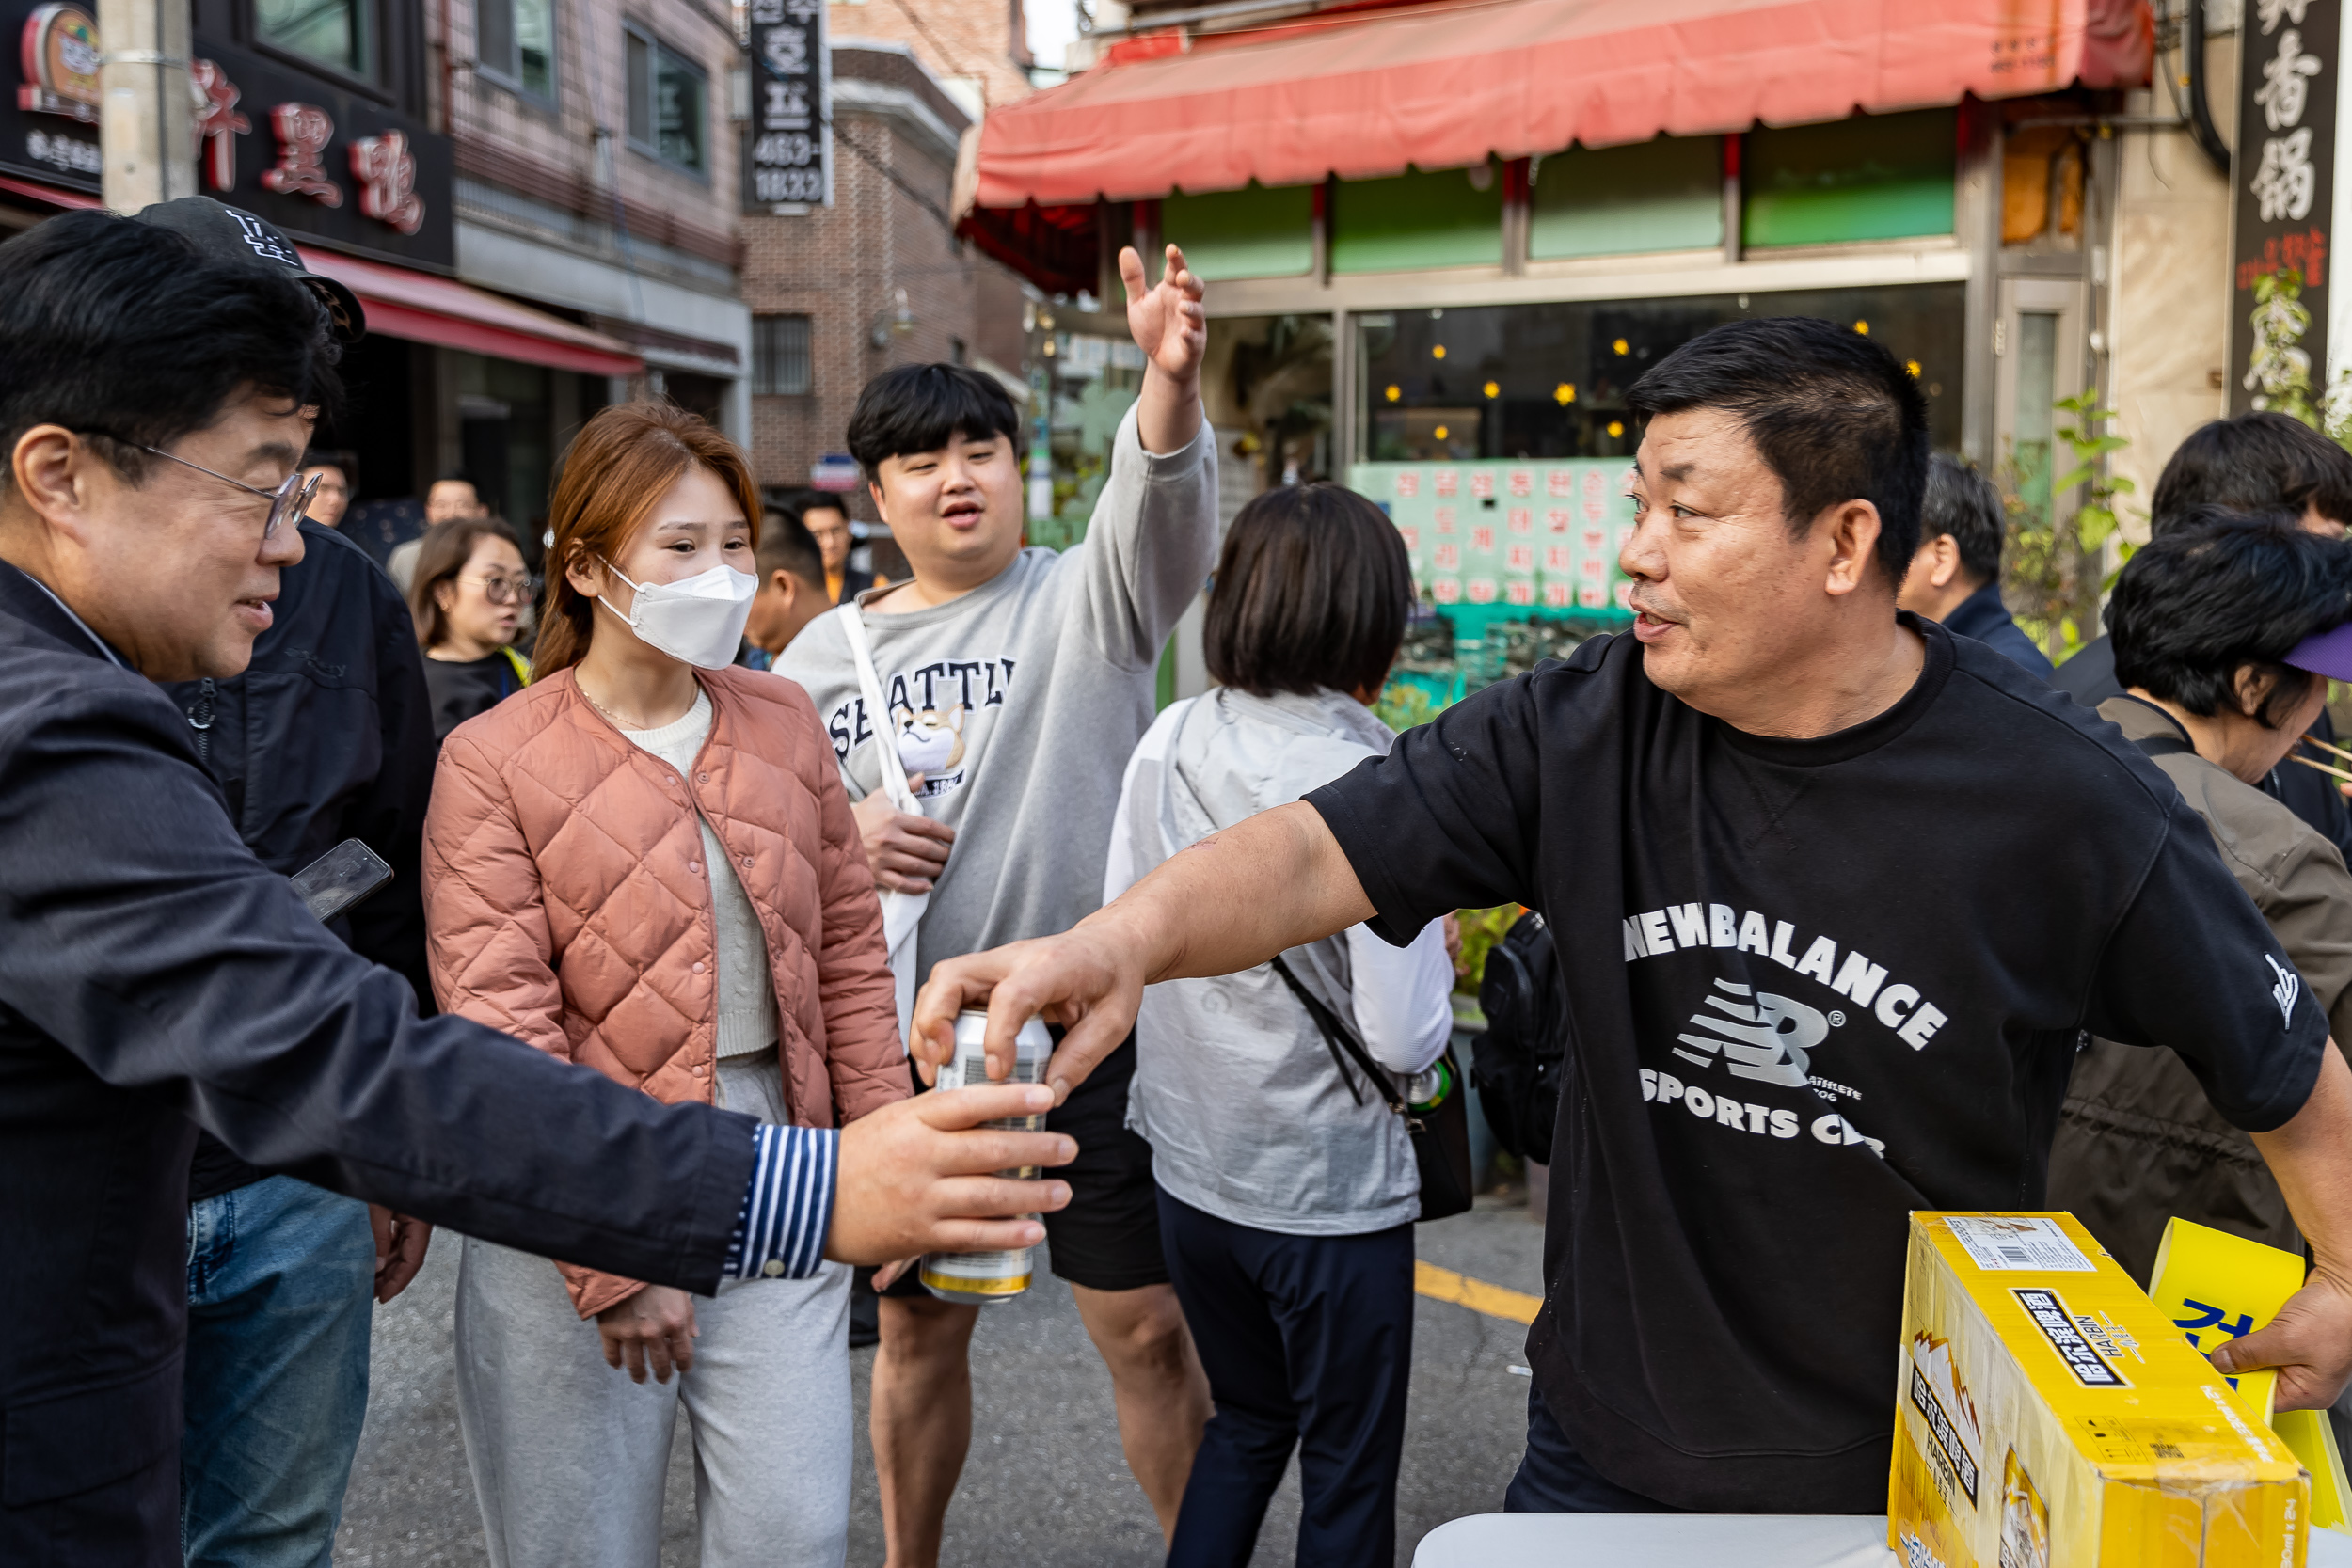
column 156, row 394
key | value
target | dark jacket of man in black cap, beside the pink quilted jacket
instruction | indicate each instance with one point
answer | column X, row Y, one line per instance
column 326, row 737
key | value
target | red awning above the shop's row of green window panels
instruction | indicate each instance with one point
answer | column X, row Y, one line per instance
column 1443, row 88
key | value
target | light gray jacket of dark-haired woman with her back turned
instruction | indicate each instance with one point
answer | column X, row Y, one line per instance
column 1236, row 1090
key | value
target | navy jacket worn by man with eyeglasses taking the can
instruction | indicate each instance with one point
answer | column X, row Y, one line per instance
column 156, row 979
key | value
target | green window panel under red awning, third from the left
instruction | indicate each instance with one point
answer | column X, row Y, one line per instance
column 1657, row 196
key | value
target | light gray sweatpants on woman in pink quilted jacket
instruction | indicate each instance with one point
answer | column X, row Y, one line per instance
column 570, row 1456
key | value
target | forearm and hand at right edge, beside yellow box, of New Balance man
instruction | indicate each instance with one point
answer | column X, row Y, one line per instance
column 2311, row 1341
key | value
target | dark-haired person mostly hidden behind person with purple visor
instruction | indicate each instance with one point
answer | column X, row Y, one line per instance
column 2250, row 464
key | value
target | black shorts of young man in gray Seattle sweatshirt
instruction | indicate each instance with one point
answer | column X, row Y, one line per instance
column 1109, row 1235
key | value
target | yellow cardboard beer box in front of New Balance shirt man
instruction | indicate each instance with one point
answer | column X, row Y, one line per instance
column 2047, row 1416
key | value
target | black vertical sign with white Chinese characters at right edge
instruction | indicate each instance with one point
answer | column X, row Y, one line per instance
column 2285, row 201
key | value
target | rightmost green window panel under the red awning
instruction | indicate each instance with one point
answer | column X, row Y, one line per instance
column 1871, row 177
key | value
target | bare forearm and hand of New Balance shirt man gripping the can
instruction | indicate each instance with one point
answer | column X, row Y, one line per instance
column 1229, row 902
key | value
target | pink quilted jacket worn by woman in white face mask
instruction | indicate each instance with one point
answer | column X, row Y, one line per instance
column 568, row 904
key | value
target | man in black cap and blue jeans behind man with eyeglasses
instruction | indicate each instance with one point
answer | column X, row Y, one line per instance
column 328, row 737
